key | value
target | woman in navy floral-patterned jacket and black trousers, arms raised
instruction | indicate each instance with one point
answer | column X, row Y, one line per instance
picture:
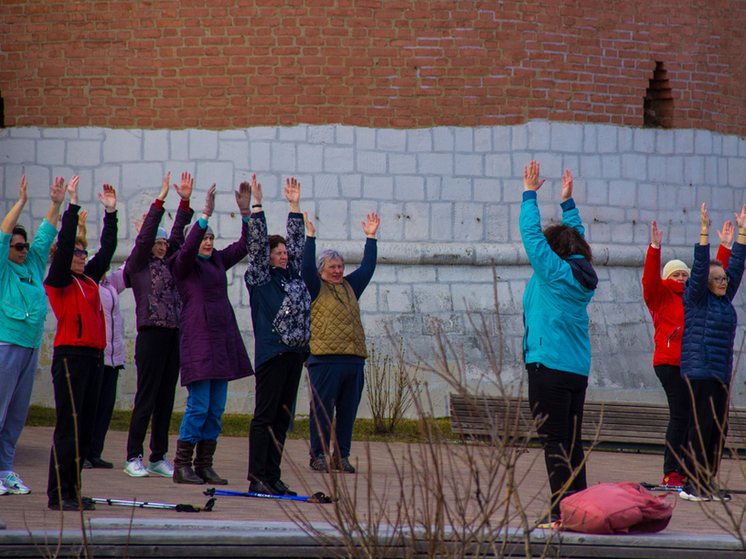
column 281, row 315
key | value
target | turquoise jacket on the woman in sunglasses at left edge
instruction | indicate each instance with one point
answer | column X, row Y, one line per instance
column 22, row 297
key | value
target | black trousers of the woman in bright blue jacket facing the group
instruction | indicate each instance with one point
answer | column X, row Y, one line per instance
column 557, row 399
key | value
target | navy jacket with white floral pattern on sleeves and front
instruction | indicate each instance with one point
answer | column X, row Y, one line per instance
column 280, row 303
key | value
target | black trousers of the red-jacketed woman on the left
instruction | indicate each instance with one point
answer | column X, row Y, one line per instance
column 72, row 435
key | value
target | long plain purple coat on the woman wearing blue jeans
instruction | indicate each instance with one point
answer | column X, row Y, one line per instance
column 211, row 343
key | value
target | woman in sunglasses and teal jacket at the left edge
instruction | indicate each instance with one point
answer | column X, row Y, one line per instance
column 24, row 309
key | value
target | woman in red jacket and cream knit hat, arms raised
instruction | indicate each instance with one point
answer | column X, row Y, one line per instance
column 662, row 295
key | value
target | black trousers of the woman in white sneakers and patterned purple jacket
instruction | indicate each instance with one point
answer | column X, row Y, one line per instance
column 157, row 360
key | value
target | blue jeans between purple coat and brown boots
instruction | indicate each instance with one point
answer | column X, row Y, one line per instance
column 205, row 407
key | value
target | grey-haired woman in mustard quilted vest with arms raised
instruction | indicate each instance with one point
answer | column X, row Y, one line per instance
column 338, row 351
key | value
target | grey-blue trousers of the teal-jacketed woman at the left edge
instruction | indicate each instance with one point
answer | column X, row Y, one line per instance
column 17, row 374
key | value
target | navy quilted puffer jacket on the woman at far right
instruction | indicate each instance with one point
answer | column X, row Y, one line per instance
column 710, row 320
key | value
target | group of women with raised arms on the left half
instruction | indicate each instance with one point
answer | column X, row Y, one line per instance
column 186, row 328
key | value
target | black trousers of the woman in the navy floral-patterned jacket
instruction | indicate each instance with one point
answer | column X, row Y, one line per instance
column 276, row 389
